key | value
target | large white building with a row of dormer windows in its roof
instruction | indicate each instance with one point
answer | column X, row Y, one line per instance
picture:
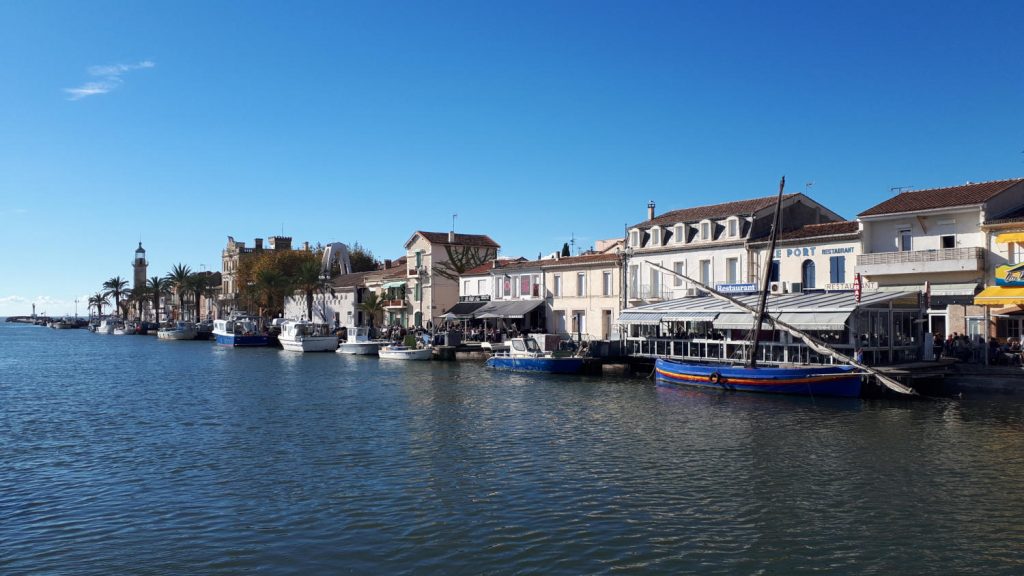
column 707, row 243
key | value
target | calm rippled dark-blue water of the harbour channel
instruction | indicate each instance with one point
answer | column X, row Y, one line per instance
column 125, row 455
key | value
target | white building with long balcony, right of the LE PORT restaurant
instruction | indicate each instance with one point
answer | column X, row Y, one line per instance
column 932, row 241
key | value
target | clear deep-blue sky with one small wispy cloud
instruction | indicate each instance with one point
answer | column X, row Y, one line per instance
column 183, row 124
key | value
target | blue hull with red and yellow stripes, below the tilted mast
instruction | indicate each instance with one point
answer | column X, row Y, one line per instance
column 841, row 382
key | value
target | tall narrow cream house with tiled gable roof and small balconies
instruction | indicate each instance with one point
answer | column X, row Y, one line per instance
column 435, row 263
